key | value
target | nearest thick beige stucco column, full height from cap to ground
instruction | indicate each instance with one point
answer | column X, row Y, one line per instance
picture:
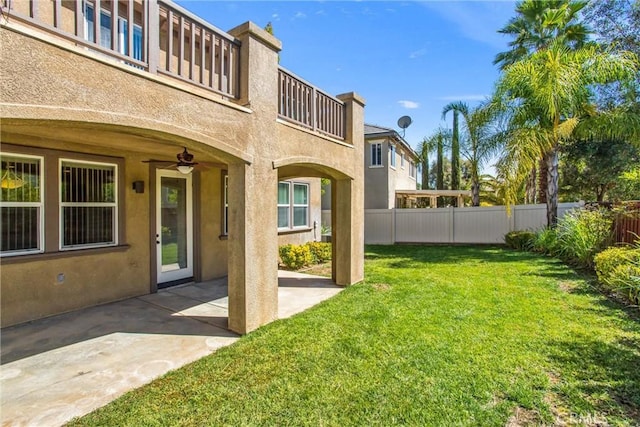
column 253, row 194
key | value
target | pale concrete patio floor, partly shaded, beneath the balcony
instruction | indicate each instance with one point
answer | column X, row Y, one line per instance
column 65, row 366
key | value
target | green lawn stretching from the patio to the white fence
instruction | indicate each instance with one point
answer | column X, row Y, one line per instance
column 434, row 336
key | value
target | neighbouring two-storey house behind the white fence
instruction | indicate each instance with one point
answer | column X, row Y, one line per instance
column 390, row 165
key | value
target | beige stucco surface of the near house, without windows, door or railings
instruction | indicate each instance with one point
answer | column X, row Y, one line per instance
column 58, row 95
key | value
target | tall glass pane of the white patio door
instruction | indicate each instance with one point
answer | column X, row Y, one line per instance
column 174, row 224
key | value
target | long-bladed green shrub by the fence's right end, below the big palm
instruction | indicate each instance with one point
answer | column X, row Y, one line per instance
column 581, row 234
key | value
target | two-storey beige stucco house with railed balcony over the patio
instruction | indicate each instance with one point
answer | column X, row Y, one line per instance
column 95, row 207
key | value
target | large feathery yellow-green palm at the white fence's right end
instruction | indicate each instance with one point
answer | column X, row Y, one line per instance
column 549, row 95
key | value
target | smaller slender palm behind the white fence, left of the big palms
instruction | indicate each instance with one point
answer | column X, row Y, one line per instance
column 480, row 142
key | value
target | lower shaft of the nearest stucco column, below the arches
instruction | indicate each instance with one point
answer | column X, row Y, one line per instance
column 253, row 246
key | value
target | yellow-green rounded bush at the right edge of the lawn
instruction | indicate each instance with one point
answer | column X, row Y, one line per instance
column 619, row 270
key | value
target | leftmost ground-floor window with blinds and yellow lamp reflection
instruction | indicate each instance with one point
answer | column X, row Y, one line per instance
column 21, row 204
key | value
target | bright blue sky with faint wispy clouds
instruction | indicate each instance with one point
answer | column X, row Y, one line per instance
column 404, row 57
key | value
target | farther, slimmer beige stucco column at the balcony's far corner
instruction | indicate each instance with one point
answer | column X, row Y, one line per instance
column 348, row 202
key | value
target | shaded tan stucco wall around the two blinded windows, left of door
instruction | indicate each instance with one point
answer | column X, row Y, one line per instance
column 30, row 286
